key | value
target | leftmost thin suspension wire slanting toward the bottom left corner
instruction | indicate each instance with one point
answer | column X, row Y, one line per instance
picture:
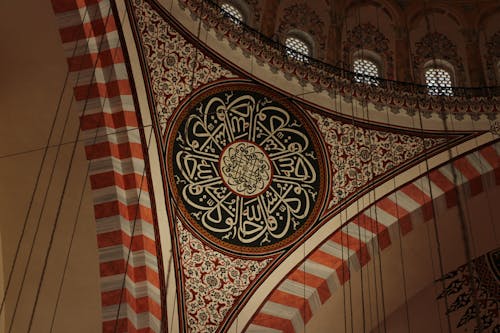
column 37, row 179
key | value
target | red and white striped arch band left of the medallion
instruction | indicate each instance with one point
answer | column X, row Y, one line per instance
column 122, row 204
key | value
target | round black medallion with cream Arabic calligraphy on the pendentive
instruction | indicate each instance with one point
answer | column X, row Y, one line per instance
column 245, row 168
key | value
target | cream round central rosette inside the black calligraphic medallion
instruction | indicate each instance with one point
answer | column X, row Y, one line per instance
column 245, row 168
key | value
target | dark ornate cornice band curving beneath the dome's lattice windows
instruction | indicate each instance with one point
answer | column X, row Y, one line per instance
column 397, row 96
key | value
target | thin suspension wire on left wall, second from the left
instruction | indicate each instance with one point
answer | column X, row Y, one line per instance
column 65, row 185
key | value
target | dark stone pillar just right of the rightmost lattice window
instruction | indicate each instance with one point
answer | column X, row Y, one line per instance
column 473, row 55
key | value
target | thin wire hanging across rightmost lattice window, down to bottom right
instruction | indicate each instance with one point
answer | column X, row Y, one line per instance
column 463, row 224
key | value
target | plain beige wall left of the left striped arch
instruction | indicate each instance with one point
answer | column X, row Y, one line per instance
column 33, row 70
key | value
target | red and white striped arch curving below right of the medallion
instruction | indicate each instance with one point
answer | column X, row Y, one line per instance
column 327, row 268
